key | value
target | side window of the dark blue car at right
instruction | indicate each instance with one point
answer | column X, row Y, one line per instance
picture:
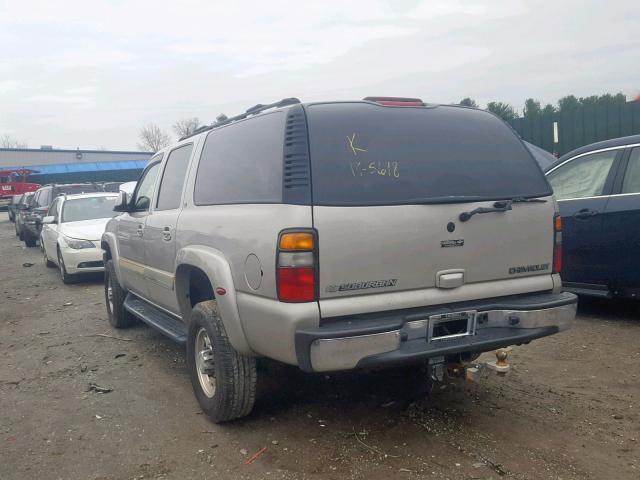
column 583, row 177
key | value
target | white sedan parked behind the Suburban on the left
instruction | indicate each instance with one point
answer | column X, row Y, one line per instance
column 71, row 233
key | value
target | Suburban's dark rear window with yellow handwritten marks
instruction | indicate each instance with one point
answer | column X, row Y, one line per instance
column 363, row 154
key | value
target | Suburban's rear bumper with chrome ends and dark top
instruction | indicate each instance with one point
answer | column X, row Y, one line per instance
column 402, row 336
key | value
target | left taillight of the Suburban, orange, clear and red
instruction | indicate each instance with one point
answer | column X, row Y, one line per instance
column 296, row 266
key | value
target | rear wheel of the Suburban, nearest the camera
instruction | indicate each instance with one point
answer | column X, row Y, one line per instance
column 224, row 381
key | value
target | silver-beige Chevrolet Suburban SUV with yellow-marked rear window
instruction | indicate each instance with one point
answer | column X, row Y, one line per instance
column 336, row 236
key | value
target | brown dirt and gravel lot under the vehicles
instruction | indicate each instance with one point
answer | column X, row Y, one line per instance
column 568, row 409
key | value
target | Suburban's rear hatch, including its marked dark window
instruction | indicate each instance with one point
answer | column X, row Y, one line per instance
column 389, row 185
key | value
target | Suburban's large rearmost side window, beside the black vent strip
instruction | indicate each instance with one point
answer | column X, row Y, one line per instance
column 243, row 162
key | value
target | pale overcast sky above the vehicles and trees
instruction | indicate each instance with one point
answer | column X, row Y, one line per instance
column 91, row 73
